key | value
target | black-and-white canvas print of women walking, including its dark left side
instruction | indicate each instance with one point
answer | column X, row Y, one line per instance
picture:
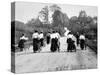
column 49, row 37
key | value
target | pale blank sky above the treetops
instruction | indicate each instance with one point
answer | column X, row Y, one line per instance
column 25, row 11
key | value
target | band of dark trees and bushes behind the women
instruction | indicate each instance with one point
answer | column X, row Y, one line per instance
column 82, row 24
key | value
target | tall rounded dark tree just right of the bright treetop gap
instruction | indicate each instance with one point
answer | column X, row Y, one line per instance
column 59, row 18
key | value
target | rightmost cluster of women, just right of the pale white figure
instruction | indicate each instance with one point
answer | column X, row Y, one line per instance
column 74, row 41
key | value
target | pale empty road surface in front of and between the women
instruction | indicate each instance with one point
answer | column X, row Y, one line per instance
column 27, row 61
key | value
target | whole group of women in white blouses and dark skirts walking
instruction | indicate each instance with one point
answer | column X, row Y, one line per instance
column 53, row 38
